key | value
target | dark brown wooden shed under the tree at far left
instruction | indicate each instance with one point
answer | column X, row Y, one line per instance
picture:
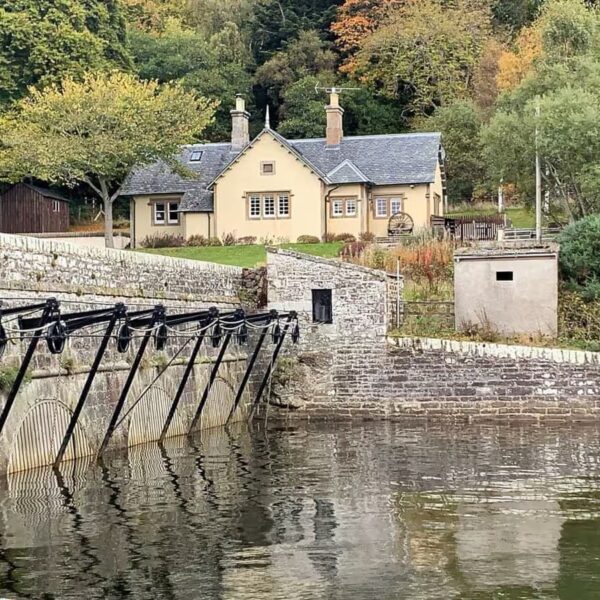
column 26, row 208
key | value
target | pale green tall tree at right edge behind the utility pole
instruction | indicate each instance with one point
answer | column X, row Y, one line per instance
column 564, row 86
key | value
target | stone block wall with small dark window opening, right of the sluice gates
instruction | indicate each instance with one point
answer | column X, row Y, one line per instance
column 352, row 369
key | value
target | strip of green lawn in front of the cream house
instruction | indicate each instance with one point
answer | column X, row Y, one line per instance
column 243, row 256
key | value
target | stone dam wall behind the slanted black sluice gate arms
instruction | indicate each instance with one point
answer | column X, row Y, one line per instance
column 32, row 270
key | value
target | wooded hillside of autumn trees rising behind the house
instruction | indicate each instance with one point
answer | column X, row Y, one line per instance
column 475, row 69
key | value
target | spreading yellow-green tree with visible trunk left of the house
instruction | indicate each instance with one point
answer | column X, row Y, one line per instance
column 96, row 131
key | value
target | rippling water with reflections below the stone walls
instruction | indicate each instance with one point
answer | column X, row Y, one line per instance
column 313, row 511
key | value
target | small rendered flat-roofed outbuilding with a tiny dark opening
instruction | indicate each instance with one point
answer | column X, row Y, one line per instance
column 511, row 289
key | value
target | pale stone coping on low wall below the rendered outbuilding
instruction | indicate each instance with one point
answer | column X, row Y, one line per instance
column 557, row 355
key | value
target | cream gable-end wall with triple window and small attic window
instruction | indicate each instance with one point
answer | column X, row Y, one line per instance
column 244, row 177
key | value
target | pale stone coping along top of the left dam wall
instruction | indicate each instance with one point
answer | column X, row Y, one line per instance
column 33, row 244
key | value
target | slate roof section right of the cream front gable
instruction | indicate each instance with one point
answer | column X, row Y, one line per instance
column 397, row 159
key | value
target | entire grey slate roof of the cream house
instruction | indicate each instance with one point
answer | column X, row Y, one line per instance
column 398, row 159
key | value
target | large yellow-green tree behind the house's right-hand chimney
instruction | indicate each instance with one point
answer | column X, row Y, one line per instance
column 426, row 53
